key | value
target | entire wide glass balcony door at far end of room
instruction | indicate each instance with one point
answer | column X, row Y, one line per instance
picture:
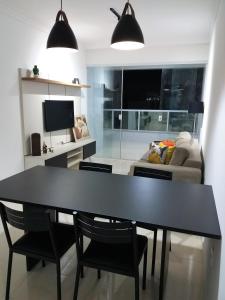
column 124, row 130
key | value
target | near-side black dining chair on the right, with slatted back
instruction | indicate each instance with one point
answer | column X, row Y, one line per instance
column 113, row 247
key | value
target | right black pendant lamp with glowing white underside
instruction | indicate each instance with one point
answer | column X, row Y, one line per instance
column 127, row 35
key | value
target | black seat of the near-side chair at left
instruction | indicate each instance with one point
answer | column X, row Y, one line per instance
column 39, row 243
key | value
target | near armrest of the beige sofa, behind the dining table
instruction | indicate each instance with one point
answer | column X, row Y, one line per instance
column 179, row 173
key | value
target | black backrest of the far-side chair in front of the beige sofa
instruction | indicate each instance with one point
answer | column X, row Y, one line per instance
column 152, row 173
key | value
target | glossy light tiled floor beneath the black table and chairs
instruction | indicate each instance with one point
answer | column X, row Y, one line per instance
column 185, row 276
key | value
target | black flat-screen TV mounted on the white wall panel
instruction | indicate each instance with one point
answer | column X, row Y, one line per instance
column 58, row 115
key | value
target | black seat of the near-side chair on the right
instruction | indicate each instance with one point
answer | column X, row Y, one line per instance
column 117, row 257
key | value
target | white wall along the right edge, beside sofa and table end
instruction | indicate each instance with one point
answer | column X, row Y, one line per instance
column 213, row 143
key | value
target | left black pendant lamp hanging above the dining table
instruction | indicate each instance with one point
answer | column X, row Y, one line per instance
column 61, row 35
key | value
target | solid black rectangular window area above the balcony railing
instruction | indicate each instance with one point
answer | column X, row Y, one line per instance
column 141, row 89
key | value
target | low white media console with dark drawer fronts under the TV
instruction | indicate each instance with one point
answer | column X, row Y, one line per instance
column 66, row 155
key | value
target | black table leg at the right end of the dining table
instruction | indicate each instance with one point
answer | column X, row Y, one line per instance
column 164, row 262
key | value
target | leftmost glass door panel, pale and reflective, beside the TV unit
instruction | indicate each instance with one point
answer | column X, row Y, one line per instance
column 104, row 110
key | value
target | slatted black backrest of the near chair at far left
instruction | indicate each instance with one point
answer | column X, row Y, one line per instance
column 36, row 222
